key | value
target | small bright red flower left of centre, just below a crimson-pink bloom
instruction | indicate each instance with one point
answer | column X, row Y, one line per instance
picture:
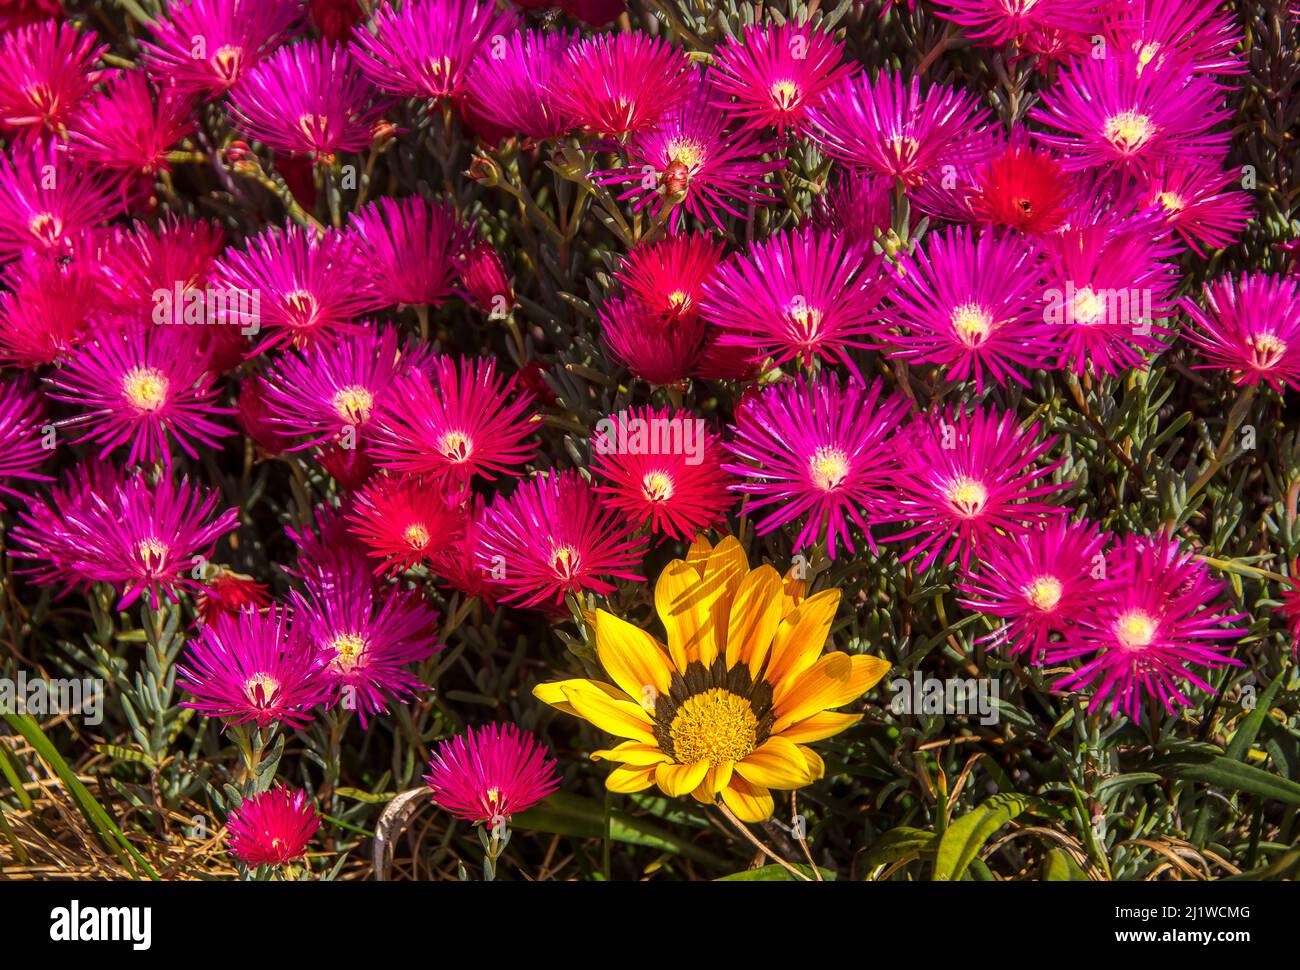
column 404, row 522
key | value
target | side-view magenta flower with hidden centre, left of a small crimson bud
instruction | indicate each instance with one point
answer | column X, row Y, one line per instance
column 409, row 249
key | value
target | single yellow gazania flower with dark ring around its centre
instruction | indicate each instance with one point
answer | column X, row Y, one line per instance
column 729, row 707
